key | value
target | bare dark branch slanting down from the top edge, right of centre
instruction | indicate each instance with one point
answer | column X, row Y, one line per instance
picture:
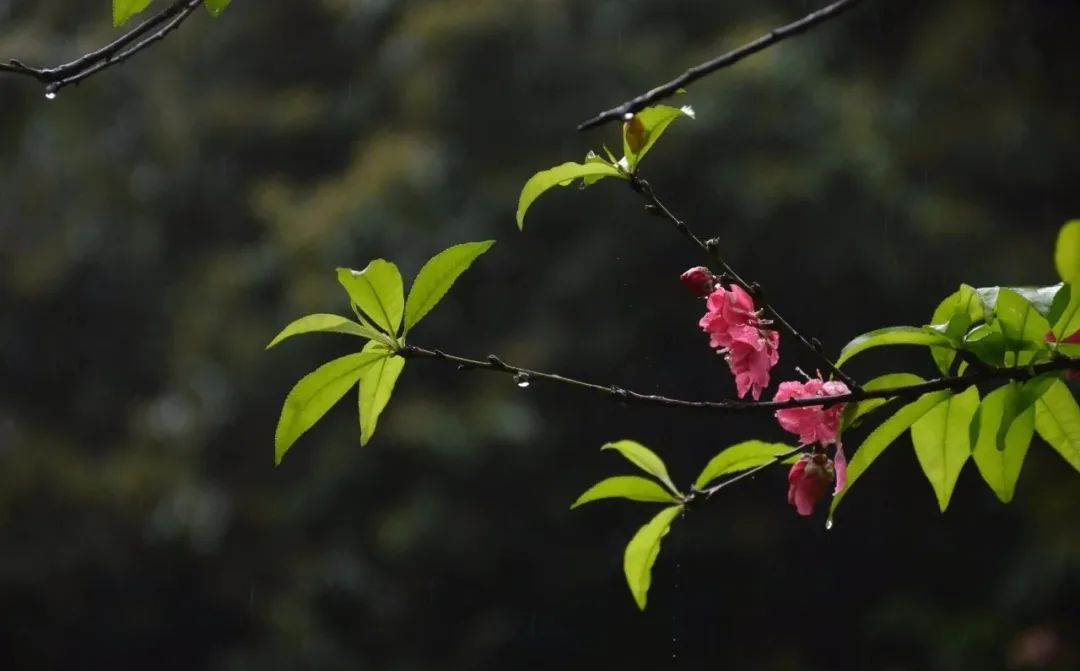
column 698, row 72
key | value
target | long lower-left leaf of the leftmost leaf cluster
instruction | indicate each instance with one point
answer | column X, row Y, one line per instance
column 316, row 394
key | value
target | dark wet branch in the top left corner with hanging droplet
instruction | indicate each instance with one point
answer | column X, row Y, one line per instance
column 127, row 46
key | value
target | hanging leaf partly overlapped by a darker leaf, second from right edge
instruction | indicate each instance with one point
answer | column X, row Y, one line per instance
column 1002, row 446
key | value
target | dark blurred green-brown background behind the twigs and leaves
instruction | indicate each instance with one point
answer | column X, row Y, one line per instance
column 160, row 223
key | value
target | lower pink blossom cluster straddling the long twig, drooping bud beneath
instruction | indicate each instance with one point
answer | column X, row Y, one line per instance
column 816, row 425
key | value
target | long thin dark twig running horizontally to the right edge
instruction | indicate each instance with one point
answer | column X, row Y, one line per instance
column 525, row 377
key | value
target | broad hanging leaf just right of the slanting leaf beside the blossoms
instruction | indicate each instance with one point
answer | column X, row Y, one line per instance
column 942, row 441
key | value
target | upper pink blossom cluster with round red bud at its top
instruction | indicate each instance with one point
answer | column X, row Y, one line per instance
column 738, row 331
